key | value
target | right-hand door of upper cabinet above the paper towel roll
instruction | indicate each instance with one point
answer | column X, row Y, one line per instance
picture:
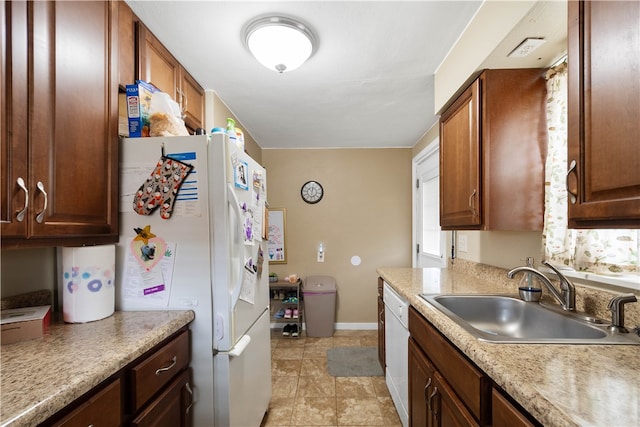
column 73, row 157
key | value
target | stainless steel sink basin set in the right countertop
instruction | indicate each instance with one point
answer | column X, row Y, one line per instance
column 505, row 319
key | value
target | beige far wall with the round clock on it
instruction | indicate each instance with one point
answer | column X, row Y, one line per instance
column 365, row 212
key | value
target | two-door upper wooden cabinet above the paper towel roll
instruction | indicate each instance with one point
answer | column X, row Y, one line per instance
column 59, row 124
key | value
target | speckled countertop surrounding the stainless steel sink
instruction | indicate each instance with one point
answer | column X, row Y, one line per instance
column 560, row 385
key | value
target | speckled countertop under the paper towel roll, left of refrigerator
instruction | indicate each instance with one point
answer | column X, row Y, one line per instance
column 40, row 377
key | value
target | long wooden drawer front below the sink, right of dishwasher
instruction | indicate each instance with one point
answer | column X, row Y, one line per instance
column 471, row 384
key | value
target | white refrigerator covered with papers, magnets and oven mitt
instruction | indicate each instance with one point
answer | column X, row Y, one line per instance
column 204, row 250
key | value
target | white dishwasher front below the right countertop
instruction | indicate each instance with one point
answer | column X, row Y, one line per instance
column 396, row 335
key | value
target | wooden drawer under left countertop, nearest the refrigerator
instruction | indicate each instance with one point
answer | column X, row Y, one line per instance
column 158, row 369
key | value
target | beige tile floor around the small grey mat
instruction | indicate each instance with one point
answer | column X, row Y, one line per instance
column 304, row 394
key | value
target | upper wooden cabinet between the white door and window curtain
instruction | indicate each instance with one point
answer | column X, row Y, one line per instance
column 493, row 143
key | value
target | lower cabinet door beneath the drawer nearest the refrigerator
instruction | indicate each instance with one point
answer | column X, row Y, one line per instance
column 172, row 408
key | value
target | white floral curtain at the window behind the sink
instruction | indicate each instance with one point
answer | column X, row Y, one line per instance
column 597, row 251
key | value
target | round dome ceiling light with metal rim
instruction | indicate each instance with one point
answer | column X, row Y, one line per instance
column 279, row 43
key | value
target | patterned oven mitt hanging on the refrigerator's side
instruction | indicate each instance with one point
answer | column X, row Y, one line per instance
column 161, row 188
